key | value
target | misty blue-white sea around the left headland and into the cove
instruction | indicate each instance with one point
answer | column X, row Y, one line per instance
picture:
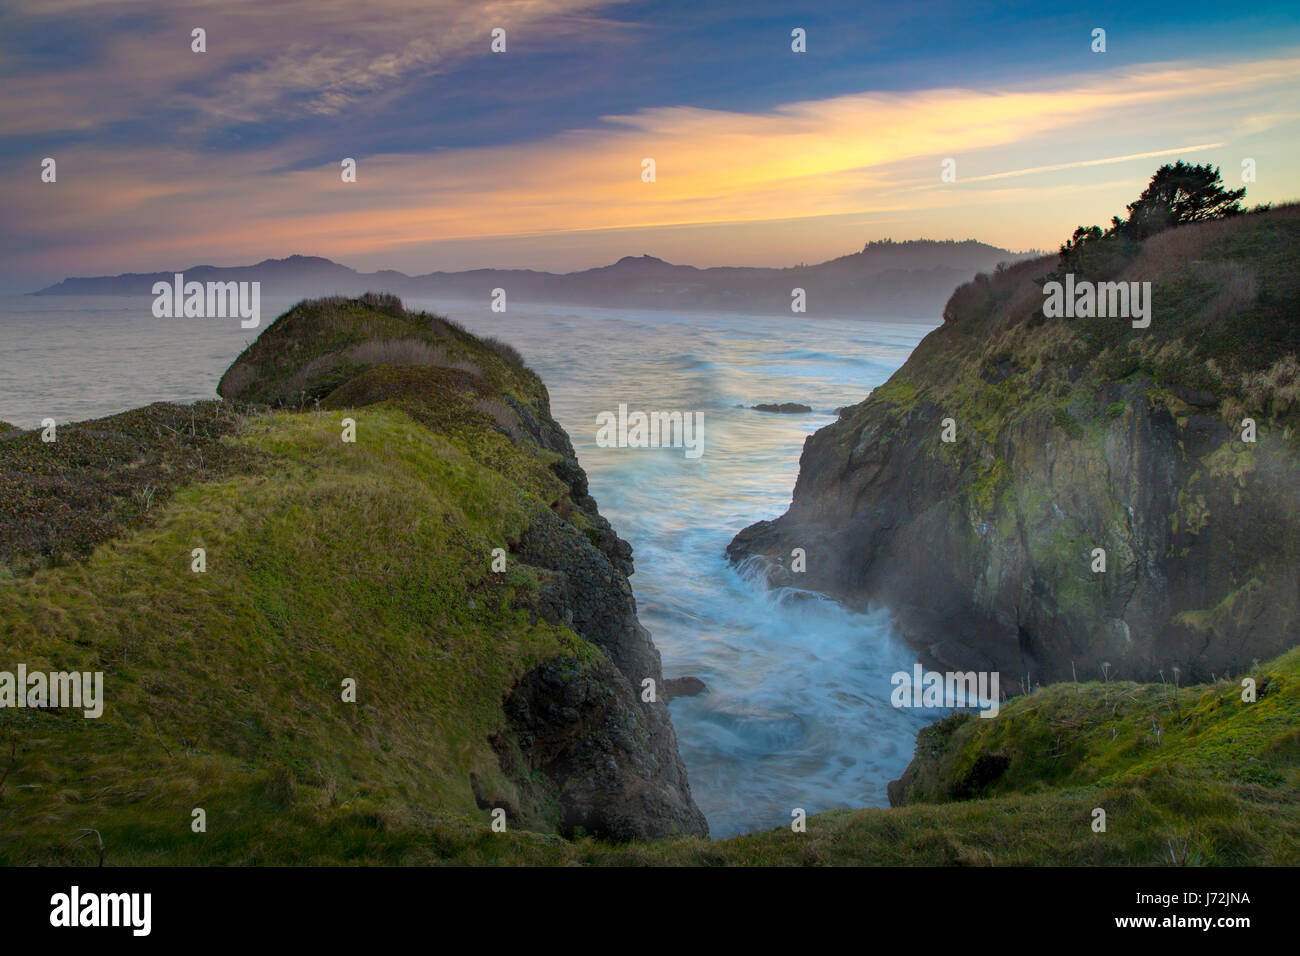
column 798, row 712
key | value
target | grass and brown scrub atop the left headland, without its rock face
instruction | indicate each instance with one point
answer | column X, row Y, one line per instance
column 324, row 561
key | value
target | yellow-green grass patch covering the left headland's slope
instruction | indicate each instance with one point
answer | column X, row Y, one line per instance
column 367, row 561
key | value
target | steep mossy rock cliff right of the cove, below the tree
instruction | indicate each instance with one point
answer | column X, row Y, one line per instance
column 1074, row 443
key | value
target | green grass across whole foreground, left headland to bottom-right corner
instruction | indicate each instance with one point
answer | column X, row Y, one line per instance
column 371, row 561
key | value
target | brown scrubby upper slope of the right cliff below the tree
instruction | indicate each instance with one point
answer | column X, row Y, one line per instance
column 1223, row 322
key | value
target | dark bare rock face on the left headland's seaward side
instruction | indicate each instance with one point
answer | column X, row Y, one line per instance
column 612, row 756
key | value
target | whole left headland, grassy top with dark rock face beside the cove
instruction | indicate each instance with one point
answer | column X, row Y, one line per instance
column 367, row 592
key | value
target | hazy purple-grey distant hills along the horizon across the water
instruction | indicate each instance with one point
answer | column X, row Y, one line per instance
column 890, row 280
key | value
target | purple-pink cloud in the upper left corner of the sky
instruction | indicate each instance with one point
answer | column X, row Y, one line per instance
column 265, row 62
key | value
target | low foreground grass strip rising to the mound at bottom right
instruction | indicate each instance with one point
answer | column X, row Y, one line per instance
column 1221, row 785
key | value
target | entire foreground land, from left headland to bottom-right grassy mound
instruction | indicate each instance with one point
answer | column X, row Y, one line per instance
column 476, row 690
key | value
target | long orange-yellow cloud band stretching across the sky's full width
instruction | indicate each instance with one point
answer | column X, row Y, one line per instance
column 873, row 154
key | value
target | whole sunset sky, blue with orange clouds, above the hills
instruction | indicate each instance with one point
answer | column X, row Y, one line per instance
column 535, row 158
